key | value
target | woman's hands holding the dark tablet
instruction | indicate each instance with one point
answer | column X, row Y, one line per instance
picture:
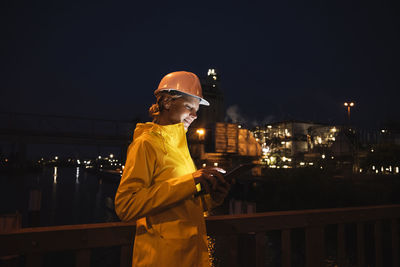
column 210, row 179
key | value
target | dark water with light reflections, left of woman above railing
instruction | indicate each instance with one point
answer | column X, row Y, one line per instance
column 69, row 195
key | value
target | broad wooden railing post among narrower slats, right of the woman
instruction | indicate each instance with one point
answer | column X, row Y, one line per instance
column 315, row 247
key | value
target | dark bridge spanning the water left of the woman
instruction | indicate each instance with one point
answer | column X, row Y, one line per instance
column 22, row 129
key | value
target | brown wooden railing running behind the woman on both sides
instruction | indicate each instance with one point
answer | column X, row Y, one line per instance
column 34, row 242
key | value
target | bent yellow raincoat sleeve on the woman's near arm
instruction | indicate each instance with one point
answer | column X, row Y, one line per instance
column 137, row 196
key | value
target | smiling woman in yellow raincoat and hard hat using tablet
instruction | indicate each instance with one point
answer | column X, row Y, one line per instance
column 160, row 185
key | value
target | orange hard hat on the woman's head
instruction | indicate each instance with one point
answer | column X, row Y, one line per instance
column 182, row 81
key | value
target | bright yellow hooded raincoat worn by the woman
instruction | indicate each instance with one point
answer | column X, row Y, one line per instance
column 157, row 189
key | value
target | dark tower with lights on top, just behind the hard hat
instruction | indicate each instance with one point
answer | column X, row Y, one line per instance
column 209, row 115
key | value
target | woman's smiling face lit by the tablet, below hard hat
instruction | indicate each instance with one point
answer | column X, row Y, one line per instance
column 183, row 109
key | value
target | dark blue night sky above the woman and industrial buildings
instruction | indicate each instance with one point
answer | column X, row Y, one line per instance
column 276, row 60
